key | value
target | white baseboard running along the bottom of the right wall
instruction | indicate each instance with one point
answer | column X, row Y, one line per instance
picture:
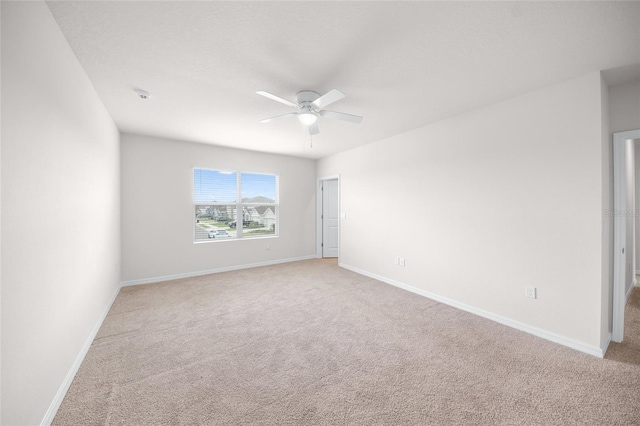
column 556, row 338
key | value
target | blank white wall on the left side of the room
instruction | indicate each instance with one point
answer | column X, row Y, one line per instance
column 60, row 211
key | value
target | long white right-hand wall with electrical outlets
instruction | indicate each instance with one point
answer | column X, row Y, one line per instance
column 485, row 203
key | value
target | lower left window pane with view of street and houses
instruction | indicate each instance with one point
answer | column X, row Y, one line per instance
column 215, row 222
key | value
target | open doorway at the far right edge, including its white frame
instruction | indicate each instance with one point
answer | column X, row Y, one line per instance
column 624, row 226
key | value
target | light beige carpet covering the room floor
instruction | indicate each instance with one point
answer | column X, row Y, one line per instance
column 309, row 343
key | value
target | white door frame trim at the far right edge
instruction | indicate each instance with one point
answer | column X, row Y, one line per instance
column 619, row 233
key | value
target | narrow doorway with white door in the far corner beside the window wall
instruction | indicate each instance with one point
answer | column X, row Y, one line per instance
column 328, row 234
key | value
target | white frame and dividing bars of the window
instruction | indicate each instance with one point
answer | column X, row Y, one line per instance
column 239, row 206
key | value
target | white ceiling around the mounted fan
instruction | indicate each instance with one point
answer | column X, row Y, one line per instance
column 402, row 65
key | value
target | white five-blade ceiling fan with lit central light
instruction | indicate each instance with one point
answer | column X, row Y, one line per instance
column 310, row 105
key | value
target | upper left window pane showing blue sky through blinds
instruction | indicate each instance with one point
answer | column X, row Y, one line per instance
column 212, row 186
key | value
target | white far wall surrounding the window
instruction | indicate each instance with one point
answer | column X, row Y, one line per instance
column 157, row 208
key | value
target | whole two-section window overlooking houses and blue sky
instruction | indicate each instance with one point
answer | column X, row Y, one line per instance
column 230, row 205
